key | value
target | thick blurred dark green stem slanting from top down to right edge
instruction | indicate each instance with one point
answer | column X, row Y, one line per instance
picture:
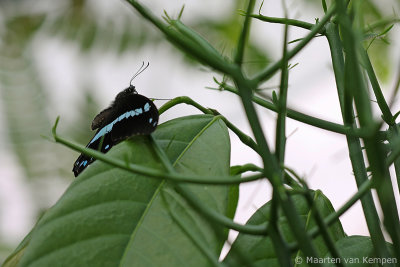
column 354, row 85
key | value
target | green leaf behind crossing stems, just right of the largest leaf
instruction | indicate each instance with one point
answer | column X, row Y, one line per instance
column 260, row 250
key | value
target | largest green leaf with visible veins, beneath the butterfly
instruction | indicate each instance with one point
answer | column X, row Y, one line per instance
column 110, row 217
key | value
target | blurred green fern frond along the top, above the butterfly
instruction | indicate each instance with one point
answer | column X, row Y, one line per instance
column 79, row 23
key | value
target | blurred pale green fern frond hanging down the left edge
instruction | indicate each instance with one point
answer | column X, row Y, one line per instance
column 23, row 98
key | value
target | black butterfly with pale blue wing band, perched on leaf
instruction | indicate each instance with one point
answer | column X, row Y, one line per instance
column 130, row 114
